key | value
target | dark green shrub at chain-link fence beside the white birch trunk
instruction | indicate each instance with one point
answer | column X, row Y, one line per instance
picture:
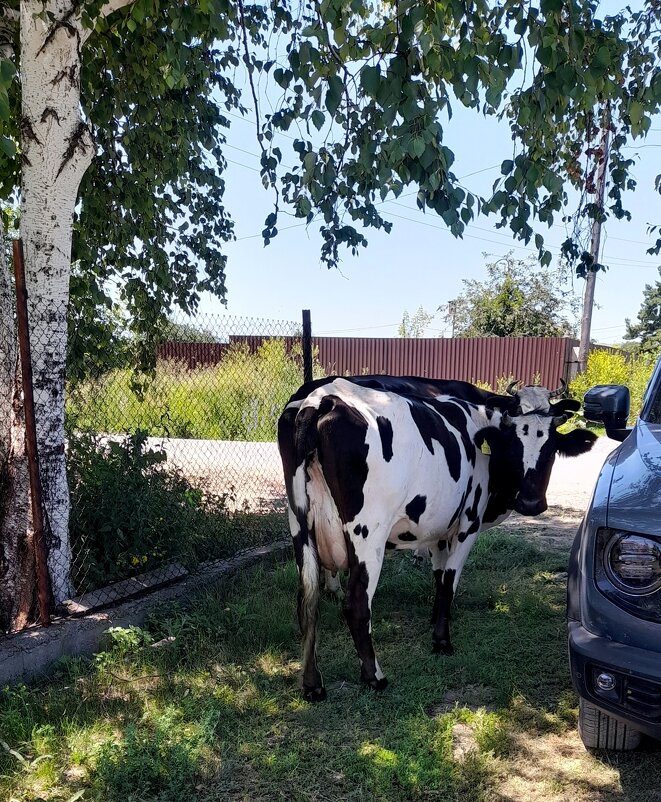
column 129, row 515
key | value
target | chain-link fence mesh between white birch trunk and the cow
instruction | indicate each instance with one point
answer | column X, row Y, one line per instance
column 178, row 465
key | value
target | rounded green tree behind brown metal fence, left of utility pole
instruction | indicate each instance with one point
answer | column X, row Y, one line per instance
column 518, row 299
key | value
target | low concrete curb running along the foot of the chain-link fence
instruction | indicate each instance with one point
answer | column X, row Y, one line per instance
column 31, row 652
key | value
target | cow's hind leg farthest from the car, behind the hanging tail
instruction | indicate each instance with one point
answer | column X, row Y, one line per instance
column 308, row 608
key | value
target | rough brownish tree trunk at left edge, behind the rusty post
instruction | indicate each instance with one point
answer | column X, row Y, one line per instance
column 17, row 574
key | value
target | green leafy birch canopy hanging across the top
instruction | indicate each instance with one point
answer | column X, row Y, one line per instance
column 364, row 92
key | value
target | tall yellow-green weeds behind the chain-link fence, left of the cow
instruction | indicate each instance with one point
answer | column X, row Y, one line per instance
column 240, row 398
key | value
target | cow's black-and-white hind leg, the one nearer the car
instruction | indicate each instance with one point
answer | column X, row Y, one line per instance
column 365, row 561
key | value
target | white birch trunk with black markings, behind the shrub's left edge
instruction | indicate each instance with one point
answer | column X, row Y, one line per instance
column 57, row 149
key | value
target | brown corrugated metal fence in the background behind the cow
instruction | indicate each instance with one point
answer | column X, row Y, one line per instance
column 480, row 359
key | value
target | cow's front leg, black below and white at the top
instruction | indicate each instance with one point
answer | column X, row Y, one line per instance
column 448, row 559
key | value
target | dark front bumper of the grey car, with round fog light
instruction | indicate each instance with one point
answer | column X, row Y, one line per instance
column 636, row 696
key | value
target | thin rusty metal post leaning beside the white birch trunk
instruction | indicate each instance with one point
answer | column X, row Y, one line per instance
column 40, row 556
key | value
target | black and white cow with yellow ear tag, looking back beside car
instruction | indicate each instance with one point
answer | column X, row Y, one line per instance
column 368, row 468
